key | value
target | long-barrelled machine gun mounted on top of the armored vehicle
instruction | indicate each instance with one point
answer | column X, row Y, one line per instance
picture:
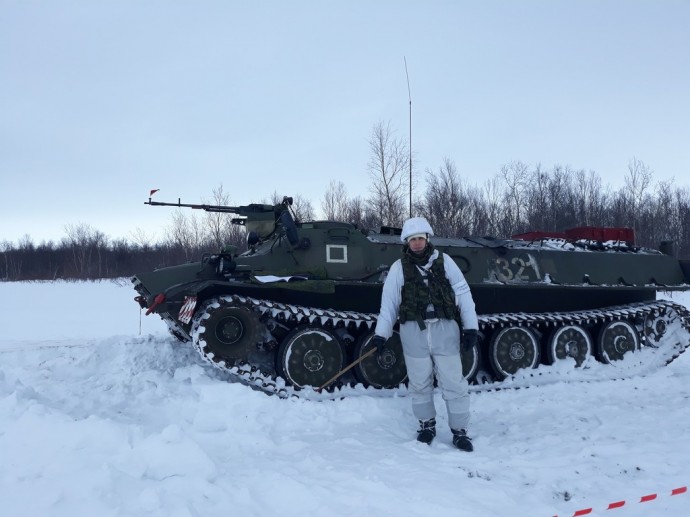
column 260, row 220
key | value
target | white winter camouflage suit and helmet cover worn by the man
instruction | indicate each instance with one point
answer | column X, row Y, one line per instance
column 436, row 349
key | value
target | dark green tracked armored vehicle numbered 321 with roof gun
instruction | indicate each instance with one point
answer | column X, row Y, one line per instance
column 300, row 305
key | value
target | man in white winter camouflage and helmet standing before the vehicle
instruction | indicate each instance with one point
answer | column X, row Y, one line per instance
column 428, row 293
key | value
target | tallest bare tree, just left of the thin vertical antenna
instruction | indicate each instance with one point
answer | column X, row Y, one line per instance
column 387, row 169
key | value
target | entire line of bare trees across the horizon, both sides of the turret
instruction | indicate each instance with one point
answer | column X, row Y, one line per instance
column 519, row 198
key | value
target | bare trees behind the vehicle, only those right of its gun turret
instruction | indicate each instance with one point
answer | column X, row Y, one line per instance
column 519, row 198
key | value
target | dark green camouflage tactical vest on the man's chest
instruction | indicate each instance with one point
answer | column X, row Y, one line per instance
column 417, row 295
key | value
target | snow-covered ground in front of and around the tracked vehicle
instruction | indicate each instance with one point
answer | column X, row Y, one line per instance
column 99, row 416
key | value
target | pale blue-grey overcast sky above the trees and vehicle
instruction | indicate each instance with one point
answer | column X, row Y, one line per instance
column 101, row 101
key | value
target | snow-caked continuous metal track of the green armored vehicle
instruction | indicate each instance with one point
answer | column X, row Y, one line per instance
column 665, row 350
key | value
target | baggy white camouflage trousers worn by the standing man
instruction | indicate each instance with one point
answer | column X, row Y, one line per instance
column 436, row 350
